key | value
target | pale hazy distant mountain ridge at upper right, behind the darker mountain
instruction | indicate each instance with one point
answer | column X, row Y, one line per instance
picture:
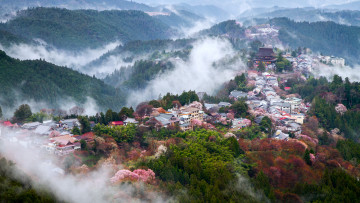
column 310, row 15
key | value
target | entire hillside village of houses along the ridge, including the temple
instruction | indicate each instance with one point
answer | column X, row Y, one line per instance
column 265, row 99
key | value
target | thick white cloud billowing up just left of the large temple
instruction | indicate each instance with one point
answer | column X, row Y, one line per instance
column 198, row 73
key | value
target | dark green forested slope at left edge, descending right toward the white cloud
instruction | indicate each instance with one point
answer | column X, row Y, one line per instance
column 44, row 82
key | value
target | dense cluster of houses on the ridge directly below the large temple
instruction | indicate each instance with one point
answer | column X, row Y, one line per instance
column 288, row 114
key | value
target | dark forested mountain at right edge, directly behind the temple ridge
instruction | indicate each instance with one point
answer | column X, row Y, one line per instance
column 325, row 37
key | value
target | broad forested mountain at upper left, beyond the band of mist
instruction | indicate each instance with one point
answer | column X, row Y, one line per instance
column 85, row 28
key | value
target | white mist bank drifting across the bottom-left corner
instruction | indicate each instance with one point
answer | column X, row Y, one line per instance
column 47, row 171
